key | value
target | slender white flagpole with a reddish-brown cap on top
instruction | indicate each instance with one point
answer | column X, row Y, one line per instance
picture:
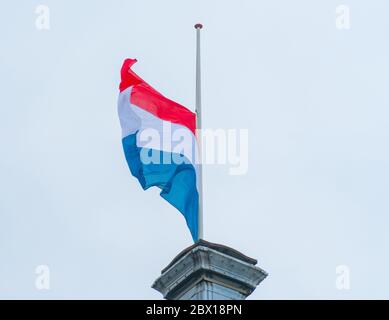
column 198, row 27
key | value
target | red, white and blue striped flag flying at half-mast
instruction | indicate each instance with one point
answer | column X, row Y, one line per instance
column 159, row 143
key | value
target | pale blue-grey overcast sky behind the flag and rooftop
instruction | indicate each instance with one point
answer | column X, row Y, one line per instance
column 313, row 97
